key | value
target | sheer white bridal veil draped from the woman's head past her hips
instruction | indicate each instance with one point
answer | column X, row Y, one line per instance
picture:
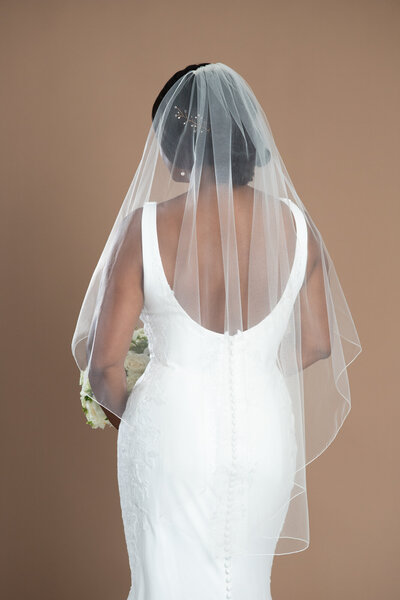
column 230, row 229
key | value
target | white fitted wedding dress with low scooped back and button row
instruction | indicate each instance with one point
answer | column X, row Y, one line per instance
column 189, row 394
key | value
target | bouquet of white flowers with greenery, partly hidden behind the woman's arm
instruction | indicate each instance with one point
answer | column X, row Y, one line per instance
column 135, row 364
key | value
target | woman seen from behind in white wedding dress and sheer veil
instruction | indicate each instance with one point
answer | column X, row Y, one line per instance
column 250, row 337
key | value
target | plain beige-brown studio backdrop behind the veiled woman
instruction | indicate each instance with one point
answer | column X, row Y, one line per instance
column 79, row 80
